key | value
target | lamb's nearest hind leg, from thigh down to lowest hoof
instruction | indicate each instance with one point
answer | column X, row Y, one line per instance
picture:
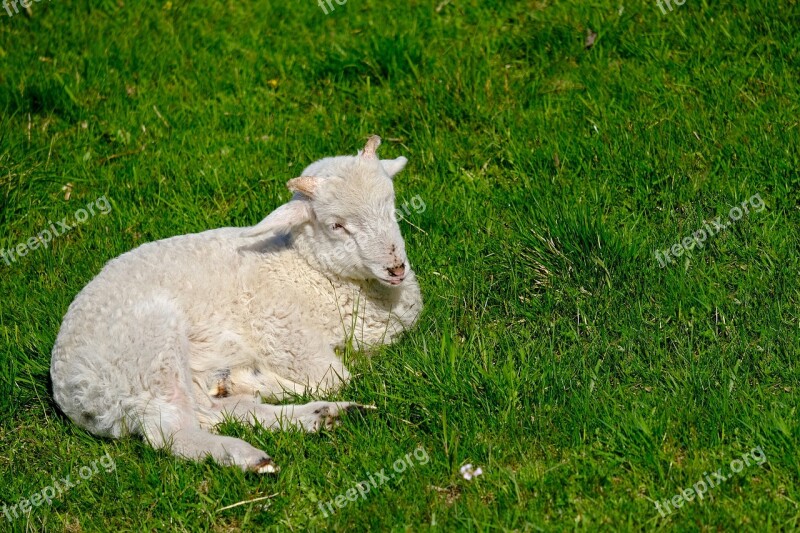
column 164, row 412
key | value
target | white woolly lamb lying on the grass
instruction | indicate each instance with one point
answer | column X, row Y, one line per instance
column 176, row 335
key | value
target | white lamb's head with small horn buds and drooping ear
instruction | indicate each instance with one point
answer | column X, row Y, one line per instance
column 342, row 217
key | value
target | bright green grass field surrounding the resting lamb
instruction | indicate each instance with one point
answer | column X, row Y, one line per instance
column 554, row 351
